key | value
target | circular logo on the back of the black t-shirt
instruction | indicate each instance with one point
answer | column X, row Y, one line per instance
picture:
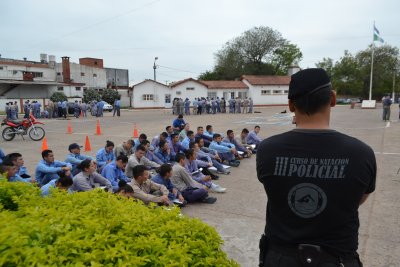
column 307, row 200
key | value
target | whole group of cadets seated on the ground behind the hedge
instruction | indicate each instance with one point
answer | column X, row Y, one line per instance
column 166, row 171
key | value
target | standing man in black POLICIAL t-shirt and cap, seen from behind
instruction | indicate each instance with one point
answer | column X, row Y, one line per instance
column 315, row 179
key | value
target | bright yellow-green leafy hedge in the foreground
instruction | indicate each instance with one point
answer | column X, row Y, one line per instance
column 99, row 229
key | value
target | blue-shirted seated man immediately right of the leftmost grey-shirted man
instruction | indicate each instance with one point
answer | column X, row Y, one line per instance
column 115, row 171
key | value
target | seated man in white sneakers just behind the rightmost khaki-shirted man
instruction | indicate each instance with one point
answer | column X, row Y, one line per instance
column 197, row 175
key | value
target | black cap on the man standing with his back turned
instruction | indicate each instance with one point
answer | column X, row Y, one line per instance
column 308, row 81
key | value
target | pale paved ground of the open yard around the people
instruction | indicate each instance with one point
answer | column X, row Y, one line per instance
column 239, row 214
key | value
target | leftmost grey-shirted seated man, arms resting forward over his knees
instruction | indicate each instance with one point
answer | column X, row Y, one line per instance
column 88, row 178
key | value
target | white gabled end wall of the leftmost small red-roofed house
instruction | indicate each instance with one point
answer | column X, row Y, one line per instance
column 158, row 91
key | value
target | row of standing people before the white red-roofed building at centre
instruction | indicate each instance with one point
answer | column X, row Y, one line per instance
column 212, row 106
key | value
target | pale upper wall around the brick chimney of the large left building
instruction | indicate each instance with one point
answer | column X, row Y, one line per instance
column 92, row 77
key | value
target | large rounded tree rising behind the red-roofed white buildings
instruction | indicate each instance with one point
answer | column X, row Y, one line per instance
column 260, row 50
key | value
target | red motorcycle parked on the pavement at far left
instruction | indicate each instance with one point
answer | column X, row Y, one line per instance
column 23, row 127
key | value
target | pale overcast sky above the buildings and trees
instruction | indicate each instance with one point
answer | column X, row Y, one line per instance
column 186, row 34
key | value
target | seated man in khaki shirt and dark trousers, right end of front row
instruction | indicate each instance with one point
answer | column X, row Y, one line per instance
column 191, row 190
